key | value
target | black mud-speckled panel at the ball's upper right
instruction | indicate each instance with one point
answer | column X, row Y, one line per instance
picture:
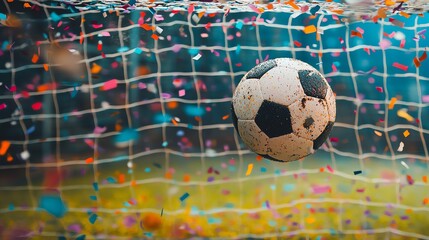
column 313, row 83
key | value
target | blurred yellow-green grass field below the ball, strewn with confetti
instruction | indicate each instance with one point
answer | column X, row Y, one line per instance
column 316, row 198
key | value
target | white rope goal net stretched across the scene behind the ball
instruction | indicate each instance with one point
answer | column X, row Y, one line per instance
column 111, row 110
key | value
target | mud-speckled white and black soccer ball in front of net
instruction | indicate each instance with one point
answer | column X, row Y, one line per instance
column 283, row 109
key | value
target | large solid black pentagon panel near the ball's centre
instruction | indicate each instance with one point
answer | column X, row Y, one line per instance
column 274, row 119
